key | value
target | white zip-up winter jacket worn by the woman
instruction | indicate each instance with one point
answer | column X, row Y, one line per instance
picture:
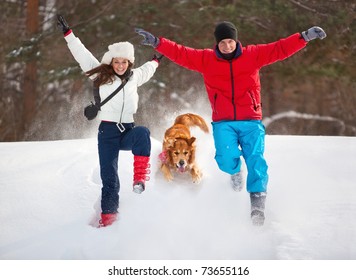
column 123, row 105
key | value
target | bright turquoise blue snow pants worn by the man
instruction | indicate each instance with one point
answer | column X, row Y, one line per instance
column 234, row 139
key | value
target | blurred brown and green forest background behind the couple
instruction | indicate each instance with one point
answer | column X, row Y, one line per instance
column 43, row 91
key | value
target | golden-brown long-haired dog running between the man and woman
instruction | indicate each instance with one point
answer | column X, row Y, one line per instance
column 178, row 149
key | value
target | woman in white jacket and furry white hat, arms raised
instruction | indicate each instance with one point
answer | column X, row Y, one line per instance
column 117, row 130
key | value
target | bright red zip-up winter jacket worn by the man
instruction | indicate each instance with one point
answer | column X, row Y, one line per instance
column 233, row 86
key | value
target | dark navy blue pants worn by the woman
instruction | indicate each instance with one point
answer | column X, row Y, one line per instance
column 110, row 141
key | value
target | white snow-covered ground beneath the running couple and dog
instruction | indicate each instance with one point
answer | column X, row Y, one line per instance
column 50, row 192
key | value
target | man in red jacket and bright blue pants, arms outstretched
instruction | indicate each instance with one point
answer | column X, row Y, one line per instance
column 231, row 77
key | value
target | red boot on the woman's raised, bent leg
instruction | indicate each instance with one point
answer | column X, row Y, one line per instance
column 141, row 169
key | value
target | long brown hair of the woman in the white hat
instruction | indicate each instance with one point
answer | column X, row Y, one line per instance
column 105, row 74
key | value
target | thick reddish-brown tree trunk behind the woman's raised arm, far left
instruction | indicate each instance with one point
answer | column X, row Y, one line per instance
column 30, row 78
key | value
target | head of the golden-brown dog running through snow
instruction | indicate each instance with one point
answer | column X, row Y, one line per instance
column 180, row 152
